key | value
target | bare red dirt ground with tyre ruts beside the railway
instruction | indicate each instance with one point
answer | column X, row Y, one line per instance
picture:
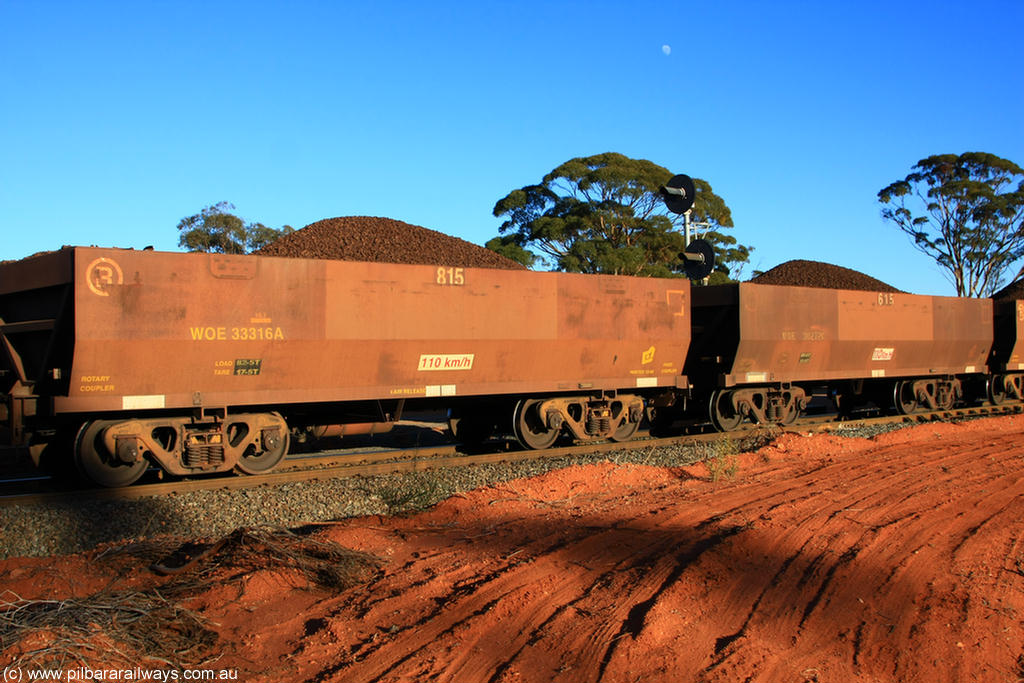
column 899, row 559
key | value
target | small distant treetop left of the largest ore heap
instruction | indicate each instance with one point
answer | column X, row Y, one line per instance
column 216, row 230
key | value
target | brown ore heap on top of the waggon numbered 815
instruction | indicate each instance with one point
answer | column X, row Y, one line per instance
column 383, row 240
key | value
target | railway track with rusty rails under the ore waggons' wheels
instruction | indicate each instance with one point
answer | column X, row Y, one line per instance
column 31, row 489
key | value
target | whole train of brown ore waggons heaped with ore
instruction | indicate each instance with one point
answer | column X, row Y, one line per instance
column 114, row 360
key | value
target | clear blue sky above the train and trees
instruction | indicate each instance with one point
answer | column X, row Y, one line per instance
column 118, row 119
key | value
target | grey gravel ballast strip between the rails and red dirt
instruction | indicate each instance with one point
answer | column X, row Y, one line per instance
column 80, row 525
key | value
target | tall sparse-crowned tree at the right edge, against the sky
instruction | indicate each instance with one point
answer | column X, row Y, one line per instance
column 965, row 211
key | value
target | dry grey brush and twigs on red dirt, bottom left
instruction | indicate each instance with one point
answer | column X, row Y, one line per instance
column 126, row 628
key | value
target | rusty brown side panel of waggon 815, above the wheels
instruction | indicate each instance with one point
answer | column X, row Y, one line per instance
column 156, row 331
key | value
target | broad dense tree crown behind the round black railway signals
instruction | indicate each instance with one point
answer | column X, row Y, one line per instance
column 605, row 215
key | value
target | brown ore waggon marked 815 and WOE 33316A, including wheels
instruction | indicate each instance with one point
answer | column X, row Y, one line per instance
column 207, row 363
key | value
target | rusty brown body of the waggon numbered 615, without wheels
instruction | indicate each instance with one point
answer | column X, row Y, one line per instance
column 752, row 334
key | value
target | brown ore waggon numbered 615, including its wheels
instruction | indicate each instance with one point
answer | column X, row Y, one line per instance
column 760, row 352
